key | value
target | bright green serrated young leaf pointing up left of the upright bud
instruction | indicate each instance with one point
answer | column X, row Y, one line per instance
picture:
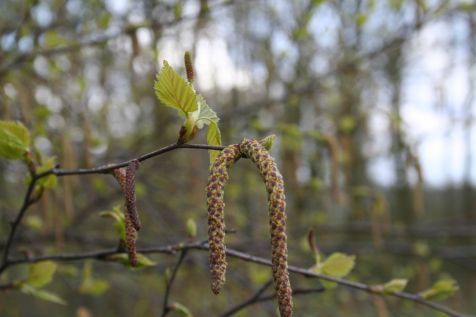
column 174, row 91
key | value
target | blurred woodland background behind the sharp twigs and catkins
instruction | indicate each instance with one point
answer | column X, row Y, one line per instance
column 329, row 78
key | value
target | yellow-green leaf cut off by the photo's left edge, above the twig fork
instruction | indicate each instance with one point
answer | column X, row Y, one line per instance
column 14, row 140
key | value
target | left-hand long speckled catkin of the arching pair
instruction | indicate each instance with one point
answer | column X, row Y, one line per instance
column 216, row 222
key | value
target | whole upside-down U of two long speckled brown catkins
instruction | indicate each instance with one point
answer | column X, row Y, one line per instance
column 276, row 207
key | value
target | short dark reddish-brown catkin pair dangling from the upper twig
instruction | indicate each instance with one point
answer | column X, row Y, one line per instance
column 126, row 179
